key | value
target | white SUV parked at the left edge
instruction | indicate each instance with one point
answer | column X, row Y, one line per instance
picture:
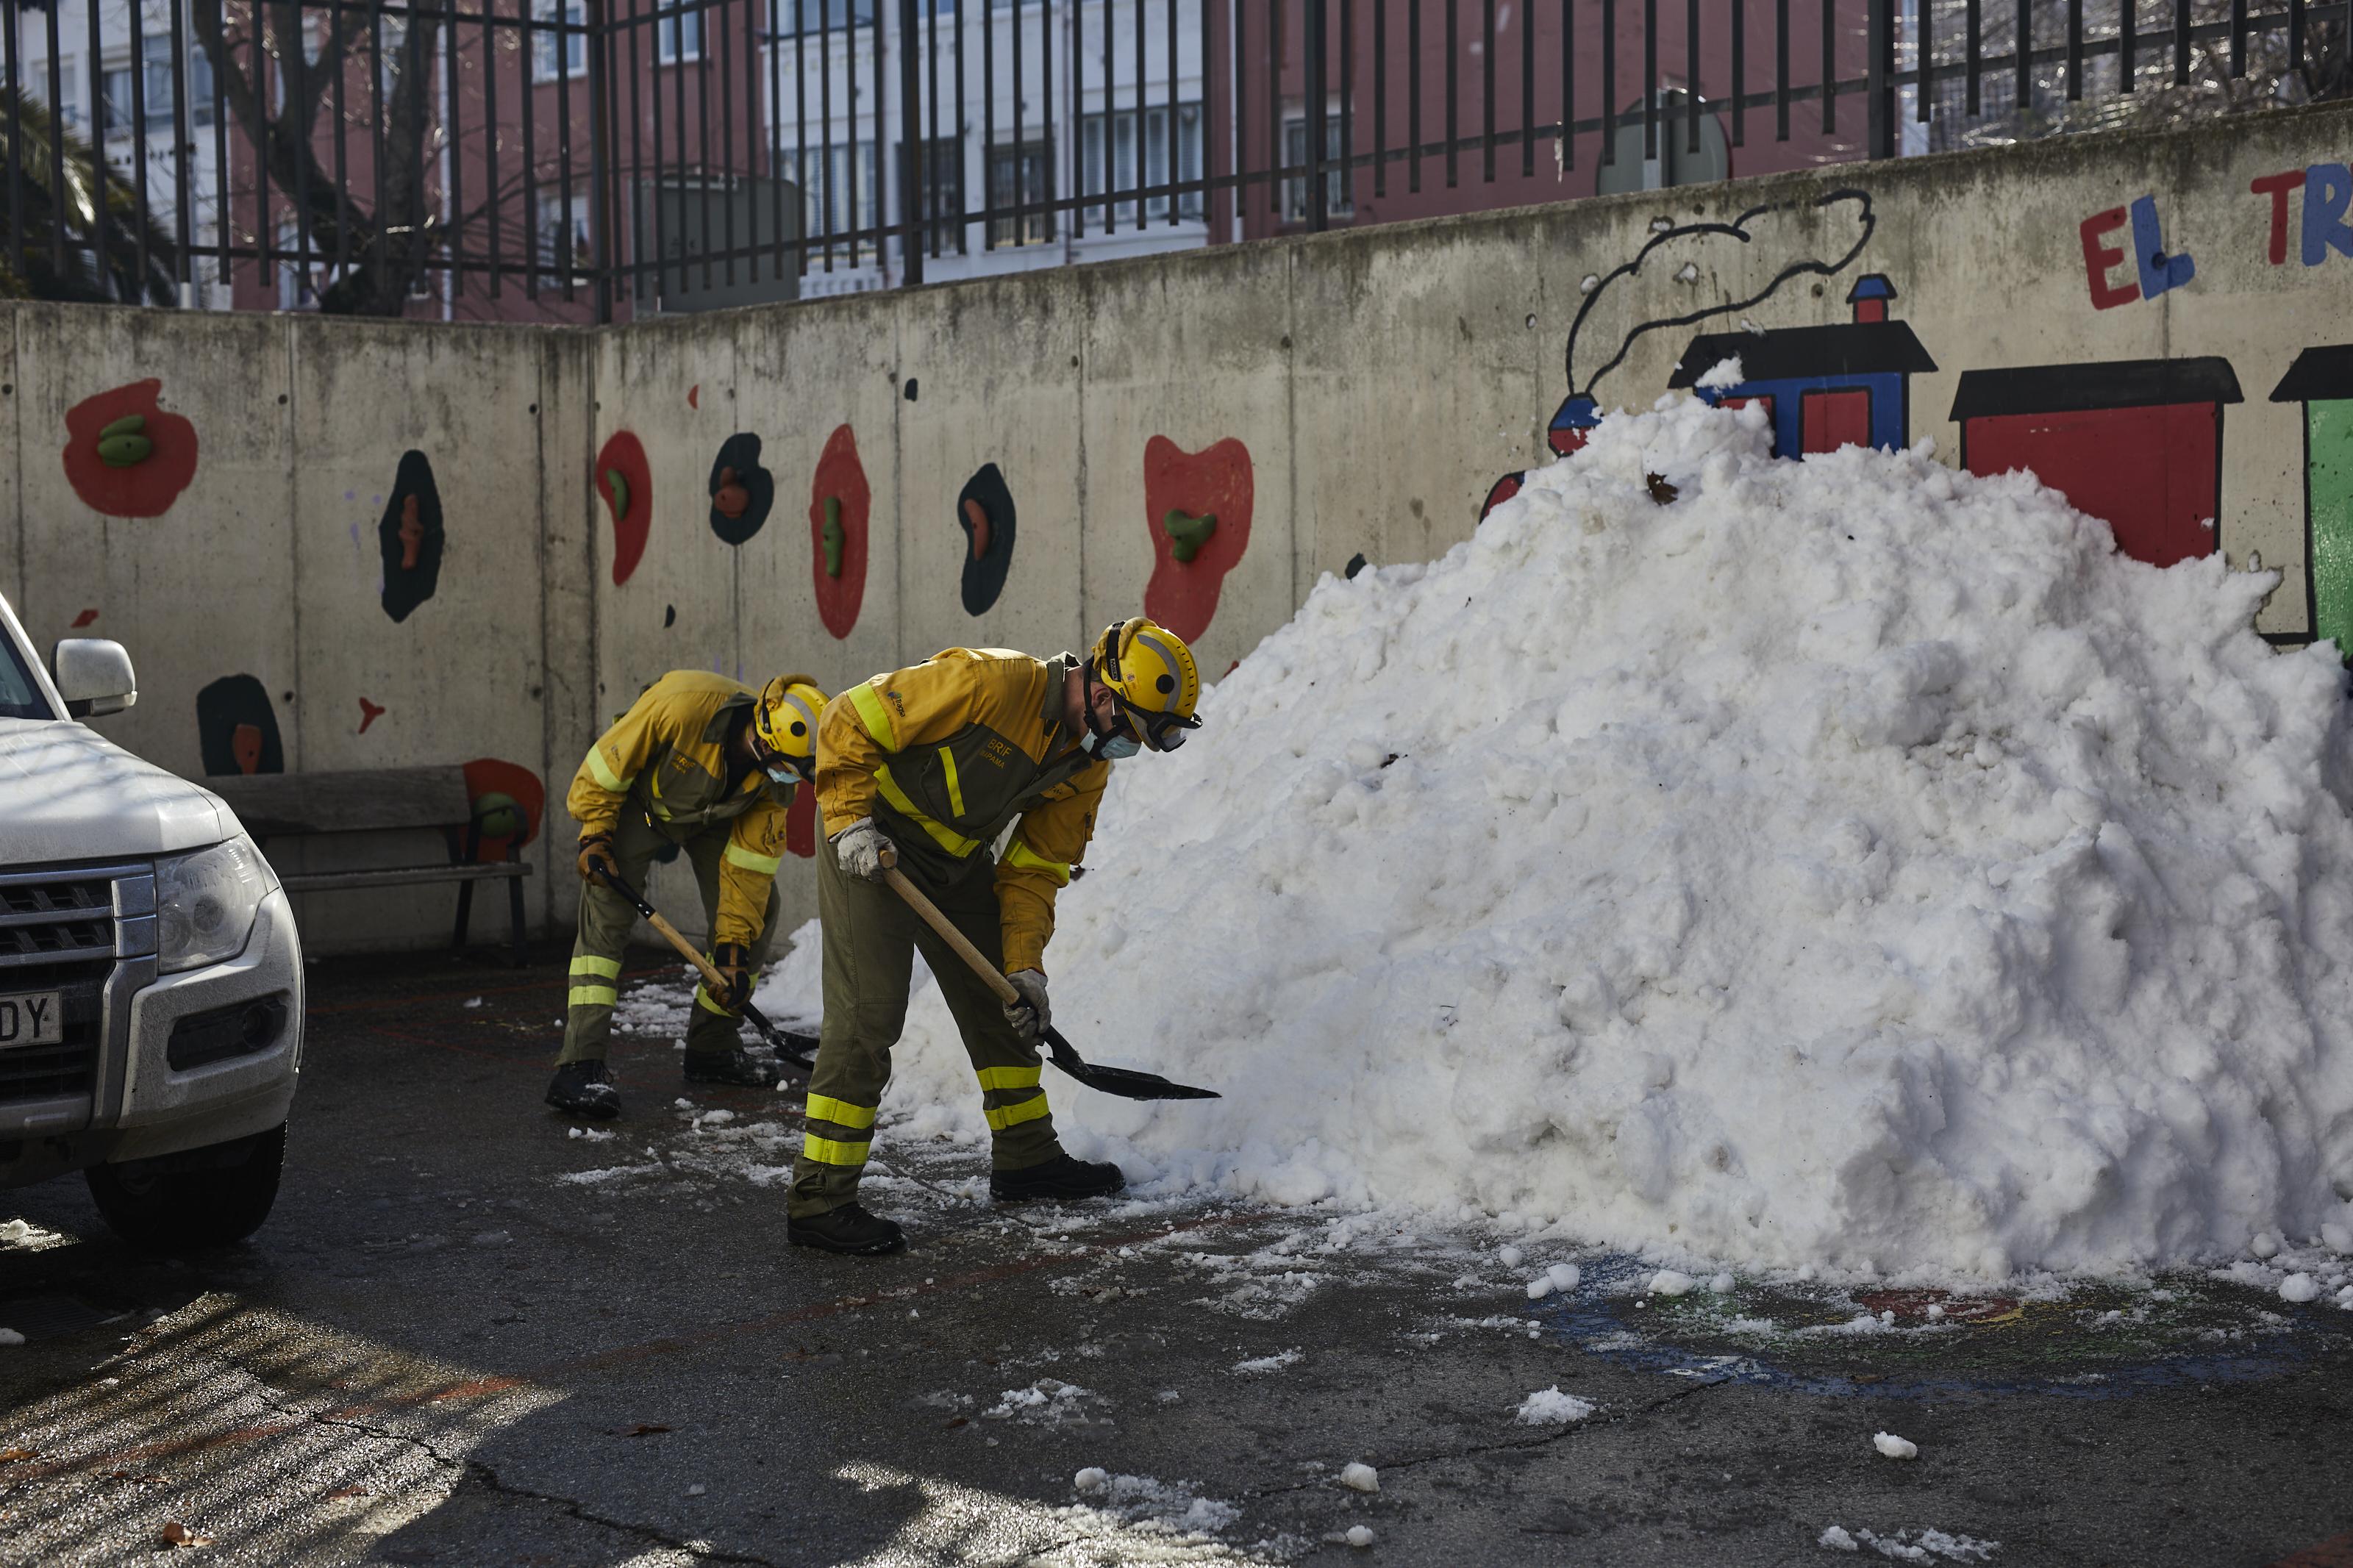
column 152, row 991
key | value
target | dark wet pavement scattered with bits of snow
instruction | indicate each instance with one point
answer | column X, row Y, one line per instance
column 469, row 1336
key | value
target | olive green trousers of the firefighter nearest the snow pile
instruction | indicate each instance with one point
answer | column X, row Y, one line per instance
column 872, row 937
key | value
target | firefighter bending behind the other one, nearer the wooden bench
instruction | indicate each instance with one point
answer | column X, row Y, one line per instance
column 707, row 765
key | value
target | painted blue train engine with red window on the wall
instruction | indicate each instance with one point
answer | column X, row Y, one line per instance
column 1822, row 389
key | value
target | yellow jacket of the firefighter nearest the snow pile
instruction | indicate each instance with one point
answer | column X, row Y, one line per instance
column 947, row 756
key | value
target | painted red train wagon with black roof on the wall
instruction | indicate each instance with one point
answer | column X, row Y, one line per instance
column 2131, row 441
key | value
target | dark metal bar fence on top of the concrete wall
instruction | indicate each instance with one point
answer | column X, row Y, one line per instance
column 582, row 159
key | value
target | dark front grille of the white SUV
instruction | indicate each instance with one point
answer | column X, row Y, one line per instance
column 58, row 932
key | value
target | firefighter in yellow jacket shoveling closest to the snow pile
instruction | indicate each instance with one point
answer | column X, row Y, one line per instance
column 938, row 763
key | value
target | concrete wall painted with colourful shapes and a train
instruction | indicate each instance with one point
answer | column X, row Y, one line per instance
column 1375, row 382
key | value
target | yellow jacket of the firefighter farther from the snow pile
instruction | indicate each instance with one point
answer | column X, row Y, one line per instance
column 667, row 758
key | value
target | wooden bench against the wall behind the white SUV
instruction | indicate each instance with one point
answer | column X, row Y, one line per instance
column 382, row 800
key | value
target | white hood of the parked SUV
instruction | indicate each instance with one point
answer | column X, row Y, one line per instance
column 67, row 793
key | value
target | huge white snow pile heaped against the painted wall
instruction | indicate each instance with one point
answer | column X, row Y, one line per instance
column 1844, row 862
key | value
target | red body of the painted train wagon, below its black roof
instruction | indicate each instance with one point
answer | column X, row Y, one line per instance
column 2152, row 474
